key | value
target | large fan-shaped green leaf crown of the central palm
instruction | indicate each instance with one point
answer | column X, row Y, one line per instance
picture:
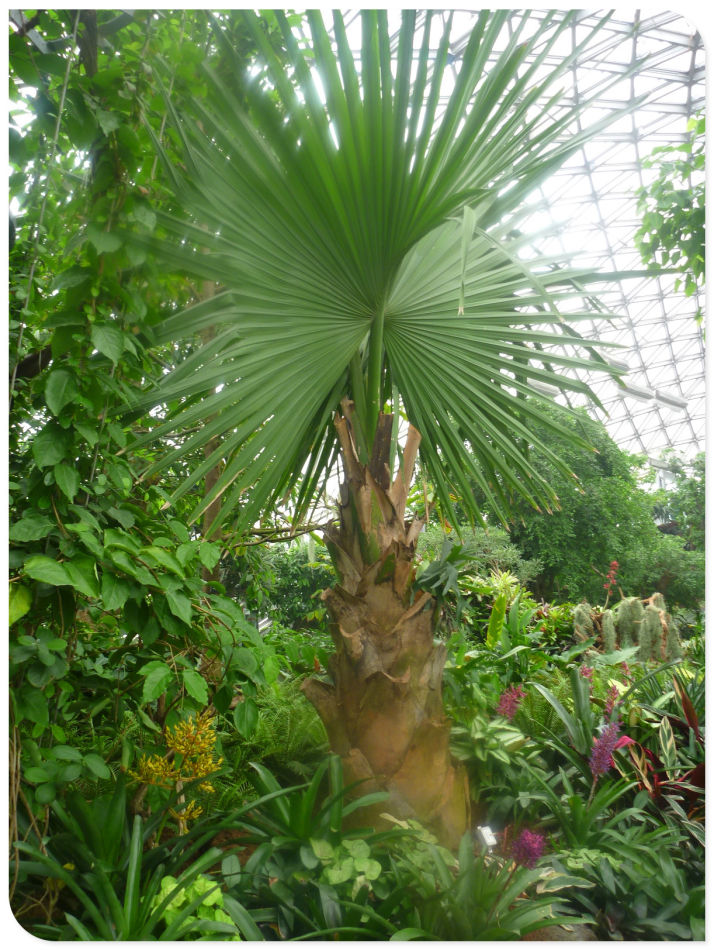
column 366, row 247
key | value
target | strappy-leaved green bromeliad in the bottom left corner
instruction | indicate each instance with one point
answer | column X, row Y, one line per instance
column 114, row 885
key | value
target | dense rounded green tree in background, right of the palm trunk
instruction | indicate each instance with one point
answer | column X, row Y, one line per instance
column 607, row 493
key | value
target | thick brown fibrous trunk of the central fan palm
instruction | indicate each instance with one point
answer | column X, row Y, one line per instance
column 383, row 710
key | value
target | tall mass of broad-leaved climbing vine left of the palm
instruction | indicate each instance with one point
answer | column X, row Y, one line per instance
column 110, row 615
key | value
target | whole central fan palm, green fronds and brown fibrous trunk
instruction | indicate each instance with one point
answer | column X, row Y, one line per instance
column 364, row 240
